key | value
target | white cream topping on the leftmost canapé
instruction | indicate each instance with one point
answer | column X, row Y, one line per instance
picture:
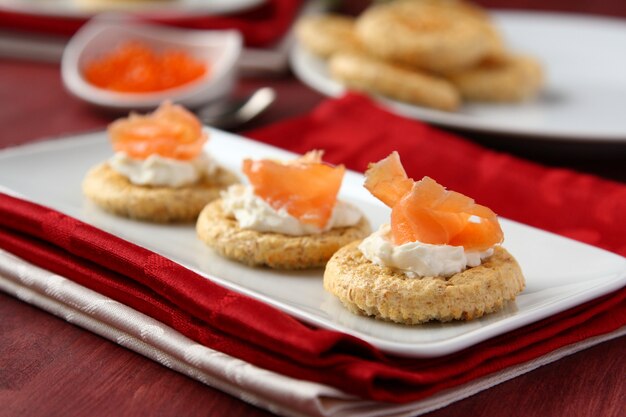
column 160, row 171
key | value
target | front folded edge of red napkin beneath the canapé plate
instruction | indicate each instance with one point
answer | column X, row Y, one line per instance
column 228, row 322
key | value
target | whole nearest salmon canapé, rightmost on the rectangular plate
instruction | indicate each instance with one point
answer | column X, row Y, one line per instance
column 439, row 258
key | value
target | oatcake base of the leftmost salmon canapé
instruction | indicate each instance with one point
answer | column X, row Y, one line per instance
column 116, row 194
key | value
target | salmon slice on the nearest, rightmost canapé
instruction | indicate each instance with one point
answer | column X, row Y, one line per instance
column 425, row 211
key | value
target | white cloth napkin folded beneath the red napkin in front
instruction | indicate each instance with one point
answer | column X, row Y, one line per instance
column 265, row 389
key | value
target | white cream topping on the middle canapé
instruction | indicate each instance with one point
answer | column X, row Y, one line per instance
column 252, row 212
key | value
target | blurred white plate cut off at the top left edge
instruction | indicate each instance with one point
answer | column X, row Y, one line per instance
column 89, row 8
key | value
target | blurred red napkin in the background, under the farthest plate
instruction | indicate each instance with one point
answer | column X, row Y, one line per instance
column 261, row 26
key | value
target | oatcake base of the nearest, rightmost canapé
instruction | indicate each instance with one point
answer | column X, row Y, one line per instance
column 372, row 290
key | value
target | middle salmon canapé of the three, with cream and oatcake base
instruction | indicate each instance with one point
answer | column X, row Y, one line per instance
column 288, row 217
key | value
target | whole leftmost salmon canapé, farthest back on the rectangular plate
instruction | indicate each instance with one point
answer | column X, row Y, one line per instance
column 160, row 171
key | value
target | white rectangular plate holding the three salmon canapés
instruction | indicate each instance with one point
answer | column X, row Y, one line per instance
column 560, row 273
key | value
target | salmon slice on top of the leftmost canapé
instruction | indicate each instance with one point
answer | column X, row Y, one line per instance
column 170, row 131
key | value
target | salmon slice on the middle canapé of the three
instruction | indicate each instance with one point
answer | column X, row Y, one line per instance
column 306, row 188
